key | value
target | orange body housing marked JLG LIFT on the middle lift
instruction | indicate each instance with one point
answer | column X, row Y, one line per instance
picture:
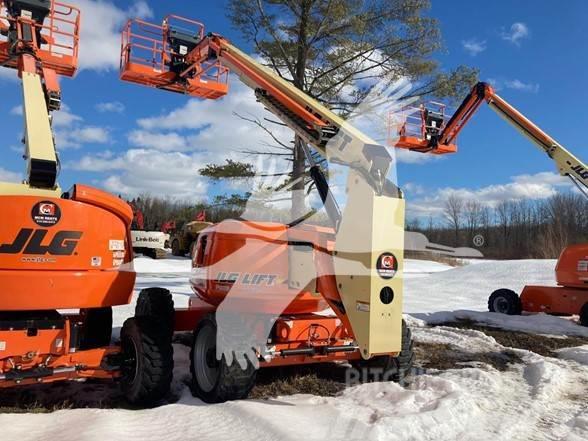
column 223, row 250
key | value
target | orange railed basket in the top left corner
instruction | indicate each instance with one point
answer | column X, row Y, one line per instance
column 54, row 43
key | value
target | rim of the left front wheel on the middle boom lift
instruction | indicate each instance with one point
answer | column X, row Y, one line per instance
column 206, row 366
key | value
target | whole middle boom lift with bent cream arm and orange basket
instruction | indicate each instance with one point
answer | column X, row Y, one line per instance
column 274, row 279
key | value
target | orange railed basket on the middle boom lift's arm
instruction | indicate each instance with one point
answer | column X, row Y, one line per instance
column 161, row 57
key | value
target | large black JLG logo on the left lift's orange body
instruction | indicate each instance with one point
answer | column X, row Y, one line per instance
column 29, row 241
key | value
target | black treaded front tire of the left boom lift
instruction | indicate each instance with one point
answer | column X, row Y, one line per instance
column 148, row 361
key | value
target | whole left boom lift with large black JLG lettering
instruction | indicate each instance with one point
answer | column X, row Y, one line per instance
column 64, row 250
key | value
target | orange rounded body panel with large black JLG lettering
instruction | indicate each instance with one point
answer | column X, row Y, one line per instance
column 65, row 253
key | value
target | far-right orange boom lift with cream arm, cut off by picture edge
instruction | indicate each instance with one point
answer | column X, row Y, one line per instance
column 571, row 272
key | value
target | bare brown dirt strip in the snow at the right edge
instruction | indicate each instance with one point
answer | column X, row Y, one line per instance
column 539, row 344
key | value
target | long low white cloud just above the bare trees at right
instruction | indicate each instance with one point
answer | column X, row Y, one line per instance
column 522, row 187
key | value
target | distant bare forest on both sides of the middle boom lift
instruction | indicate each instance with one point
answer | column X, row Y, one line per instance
column 511, row 230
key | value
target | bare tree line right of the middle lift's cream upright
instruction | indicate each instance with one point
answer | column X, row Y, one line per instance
column 512, row 229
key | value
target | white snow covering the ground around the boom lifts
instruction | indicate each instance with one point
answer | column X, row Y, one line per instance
column 538, row 398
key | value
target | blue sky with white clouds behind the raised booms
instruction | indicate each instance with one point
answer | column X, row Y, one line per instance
column 132, row 139
